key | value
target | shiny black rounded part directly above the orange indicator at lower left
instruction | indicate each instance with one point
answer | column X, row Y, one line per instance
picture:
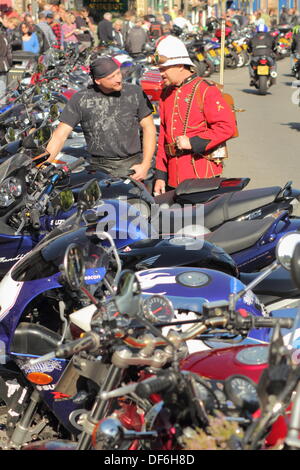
column 30, row 338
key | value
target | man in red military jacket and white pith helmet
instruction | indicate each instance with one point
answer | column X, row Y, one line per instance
column 195, row 120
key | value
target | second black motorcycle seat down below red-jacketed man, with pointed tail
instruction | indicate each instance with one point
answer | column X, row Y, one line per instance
column 231, row 205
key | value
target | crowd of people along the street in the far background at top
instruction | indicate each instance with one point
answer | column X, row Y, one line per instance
column 57, row 27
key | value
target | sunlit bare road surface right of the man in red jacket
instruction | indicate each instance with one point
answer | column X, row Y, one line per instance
column 267, row 149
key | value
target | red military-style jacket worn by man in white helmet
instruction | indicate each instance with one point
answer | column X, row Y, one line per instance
column 210, row 122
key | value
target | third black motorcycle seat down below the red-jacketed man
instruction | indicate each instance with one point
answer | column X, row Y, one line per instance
column 237, row 236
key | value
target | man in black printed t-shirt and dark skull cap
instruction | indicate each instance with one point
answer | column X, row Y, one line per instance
column 111, row 115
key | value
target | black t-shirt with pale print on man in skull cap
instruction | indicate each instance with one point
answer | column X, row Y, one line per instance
column 110, row 123
